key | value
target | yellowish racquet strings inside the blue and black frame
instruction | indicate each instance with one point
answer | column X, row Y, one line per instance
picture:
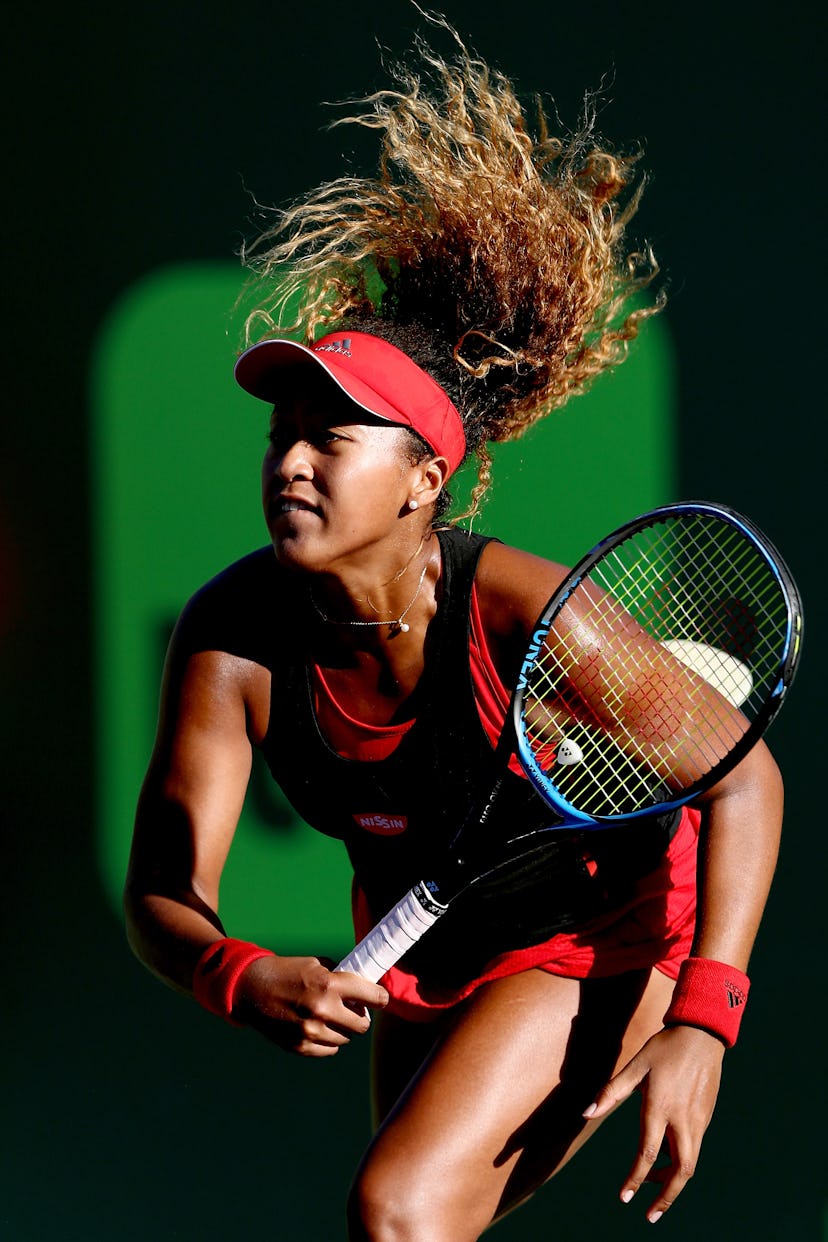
column 656, row 665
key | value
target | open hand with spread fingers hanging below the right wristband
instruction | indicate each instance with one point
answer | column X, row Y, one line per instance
column 678, row 1074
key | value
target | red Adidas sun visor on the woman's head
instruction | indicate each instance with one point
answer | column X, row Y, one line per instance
column 374, row 374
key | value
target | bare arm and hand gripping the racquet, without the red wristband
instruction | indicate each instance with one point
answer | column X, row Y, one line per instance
column 186, row 823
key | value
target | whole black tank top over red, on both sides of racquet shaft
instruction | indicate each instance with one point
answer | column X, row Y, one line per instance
column 397, row 815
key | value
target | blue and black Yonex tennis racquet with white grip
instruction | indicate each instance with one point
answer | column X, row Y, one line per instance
column 652, row 671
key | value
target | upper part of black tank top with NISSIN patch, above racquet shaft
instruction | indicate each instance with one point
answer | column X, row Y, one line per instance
column 394, row 815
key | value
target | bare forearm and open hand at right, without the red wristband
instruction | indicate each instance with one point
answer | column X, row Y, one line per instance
column 678, row 1070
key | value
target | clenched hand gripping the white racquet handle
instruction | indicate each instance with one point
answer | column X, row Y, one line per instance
column 305, row 1007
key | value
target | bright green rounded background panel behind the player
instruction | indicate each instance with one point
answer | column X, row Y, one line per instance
column 177, row 456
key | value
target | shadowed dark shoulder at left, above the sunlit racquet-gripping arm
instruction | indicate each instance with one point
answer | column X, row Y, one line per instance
column 240, row 612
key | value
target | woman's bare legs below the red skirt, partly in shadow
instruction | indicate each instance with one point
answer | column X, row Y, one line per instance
column 496, row 1107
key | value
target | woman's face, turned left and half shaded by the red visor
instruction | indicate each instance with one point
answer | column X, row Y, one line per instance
column 335, row 480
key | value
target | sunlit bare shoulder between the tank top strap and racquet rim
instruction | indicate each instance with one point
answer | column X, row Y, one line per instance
column 513, row 588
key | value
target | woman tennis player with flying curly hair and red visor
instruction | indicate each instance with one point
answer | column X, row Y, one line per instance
column 472, row 288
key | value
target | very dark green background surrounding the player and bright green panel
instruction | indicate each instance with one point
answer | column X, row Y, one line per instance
column 132, row 137
